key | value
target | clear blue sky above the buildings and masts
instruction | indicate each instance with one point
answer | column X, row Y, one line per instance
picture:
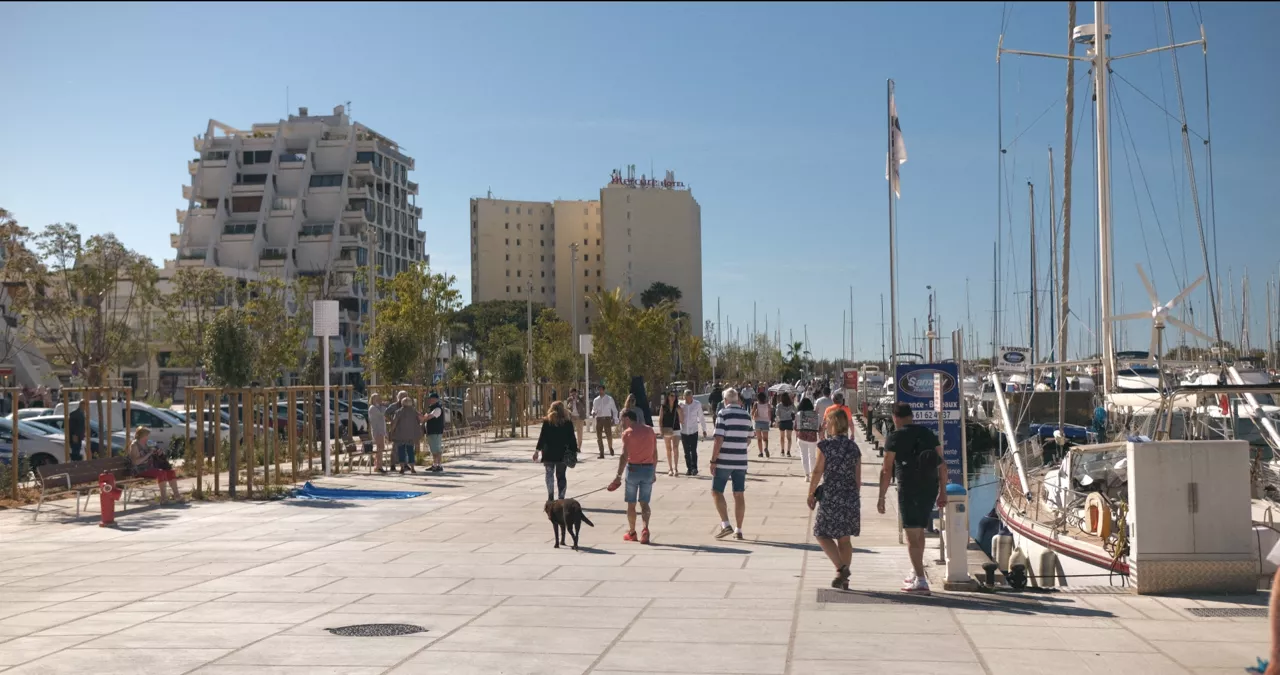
column 772, row 113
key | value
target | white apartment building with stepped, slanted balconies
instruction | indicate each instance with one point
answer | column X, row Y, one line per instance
column 310, row 195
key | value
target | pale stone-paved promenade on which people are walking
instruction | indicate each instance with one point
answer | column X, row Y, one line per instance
column 250, row 589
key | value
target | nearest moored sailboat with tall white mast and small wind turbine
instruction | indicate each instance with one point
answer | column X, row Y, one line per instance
column 1069, row 523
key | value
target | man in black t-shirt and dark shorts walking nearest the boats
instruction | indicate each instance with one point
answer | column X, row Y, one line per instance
column 922, row 480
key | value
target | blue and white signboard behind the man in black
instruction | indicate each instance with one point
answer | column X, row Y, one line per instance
column 917, row 385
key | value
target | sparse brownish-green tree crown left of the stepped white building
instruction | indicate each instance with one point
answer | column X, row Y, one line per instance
column 86, row 299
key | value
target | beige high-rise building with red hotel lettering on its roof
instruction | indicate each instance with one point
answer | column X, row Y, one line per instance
column 639, row 232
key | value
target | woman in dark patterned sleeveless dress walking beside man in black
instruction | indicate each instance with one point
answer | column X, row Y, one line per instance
column 839, row 468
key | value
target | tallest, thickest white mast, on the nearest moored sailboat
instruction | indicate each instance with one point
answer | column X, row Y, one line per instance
column 1101, row 88
